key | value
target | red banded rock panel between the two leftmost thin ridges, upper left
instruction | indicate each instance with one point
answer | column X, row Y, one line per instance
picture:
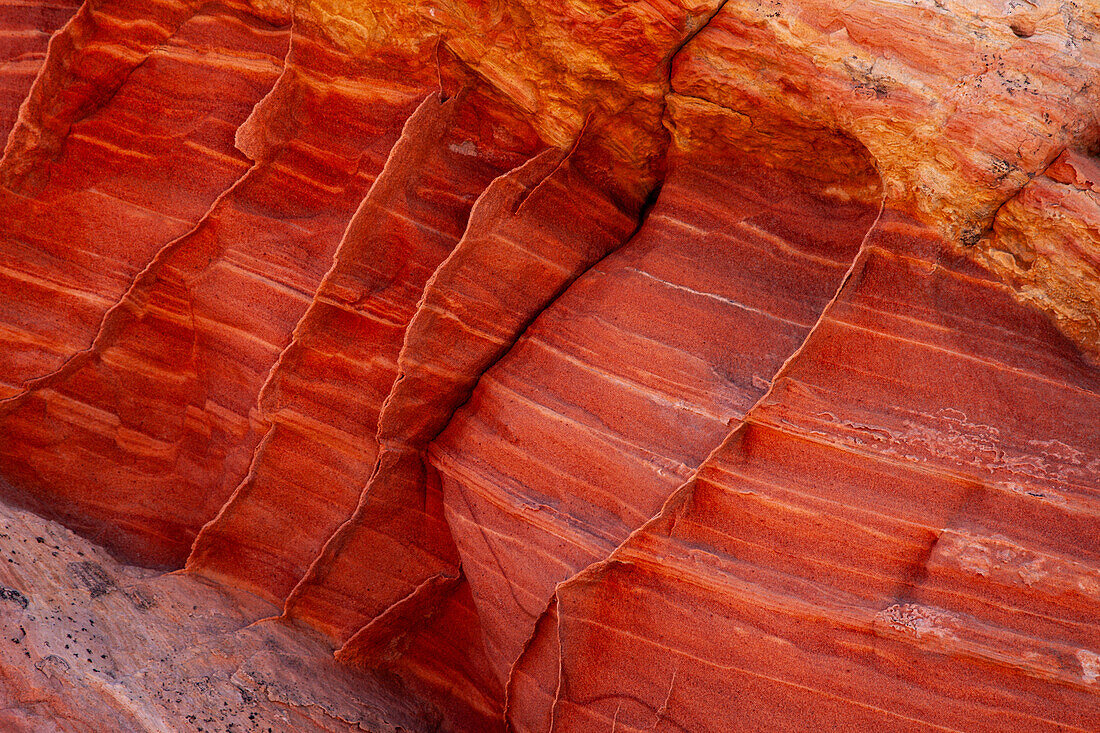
column 86, row 271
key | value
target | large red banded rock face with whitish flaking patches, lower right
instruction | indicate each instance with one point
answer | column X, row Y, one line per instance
column 955, row 533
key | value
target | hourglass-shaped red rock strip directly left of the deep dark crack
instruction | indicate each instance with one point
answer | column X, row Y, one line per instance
column 519, row 218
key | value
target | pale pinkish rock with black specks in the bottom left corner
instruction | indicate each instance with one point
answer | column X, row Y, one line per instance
column 93, row 646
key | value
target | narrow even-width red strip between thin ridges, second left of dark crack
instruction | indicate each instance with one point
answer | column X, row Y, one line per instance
column 354, row 330
